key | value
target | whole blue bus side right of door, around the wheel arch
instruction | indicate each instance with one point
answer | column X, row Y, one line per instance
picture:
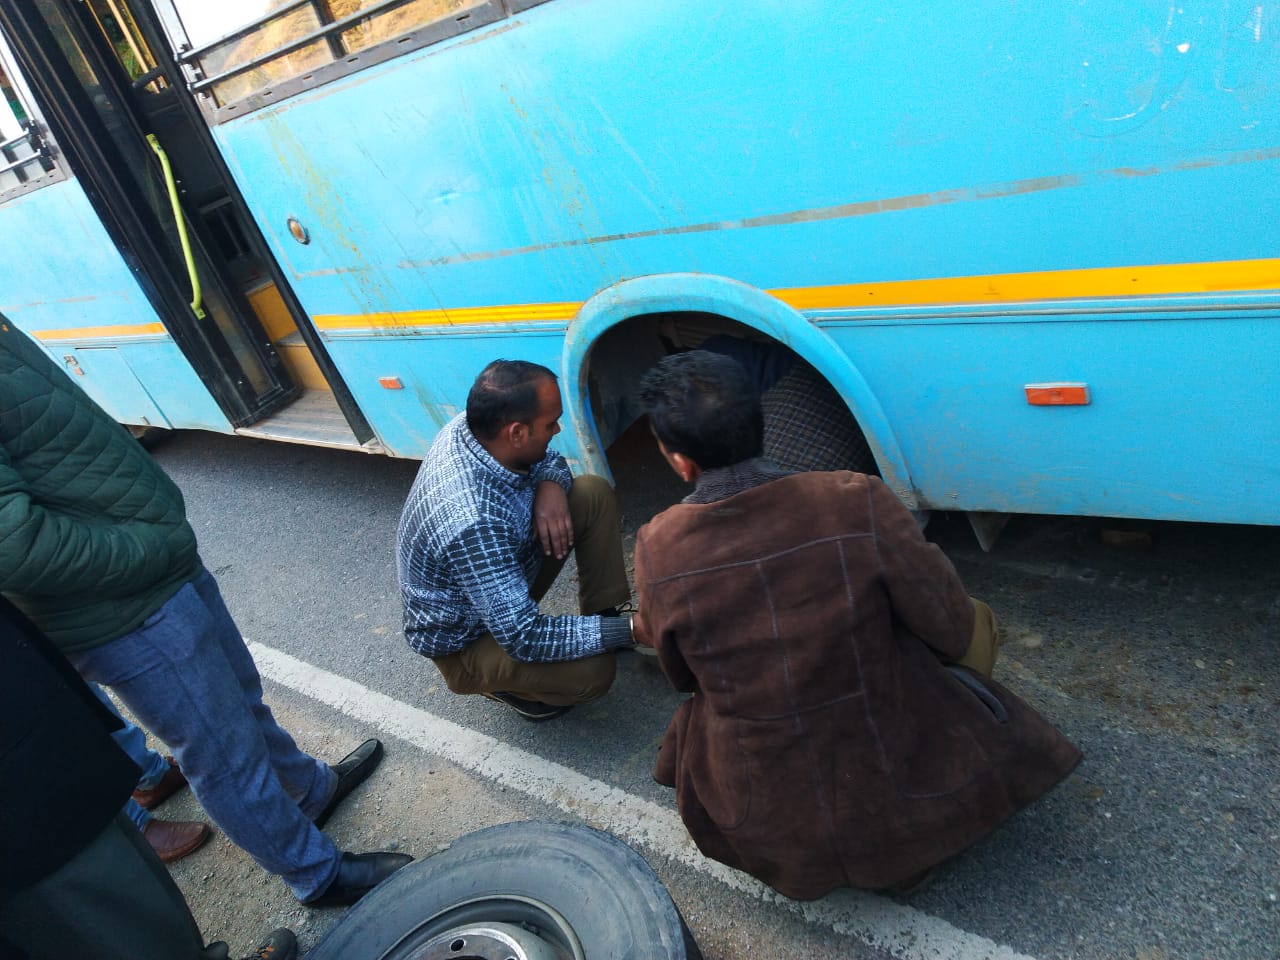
column 481, row 191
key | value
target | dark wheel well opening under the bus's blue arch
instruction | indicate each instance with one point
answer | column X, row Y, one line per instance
column 807, row 424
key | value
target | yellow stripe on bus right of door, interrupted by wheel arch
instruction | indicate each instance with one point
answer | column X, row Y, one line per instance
column 988, row 289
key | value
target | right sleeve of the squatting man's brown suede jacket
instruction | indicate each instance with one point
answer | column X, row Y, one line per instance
column 924, row 586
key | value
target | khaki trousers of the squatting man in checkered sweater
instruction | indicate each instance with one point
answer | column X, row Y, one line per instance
column 484, row 668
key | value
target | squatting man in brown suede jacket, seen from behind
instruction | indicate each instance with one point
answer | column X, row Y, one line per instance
column 843, row 730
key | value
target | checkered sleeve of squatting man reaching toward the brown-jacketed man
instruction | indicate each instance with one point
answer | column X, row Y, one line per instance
column 483, row 561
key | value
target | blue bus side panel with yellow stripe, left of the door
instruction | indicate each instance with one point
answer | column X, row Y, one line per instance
column 70, row 289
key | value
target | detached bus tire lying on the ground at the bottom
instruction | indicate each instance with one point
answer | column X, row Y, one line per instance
column 536, row 890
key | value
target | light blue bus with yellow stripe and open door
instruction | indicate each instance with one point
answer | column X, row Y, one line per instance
column 1034, row 254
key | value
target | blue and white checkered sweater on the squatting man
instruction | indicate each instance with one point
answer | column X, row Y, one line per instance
column 468, row 554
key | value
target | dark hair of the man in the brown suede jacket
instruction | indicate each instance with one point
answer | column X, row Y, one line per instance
column 703, row 405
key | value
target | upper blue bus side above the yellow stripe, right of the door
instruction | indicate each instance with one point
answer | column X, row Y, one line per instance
column 588, row 143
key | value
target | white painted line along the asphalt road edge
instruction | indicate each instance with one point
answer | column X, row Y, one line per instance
column 875, row 921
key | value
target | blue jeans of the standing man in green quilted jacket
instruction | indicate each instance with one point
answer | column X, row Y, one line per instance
column 189, row 678
